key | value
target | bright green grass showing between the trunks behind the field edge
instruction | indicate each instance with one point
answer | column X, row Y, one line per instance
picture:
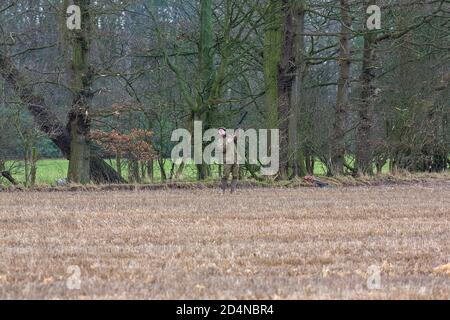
column 49, row 171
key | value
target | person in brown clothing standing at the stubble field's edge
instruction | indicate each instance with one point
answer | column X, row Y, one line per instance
column 228, row 146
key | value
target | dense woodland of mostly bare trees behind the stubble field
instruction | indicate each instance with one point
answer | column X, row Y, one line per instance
column 351, row 99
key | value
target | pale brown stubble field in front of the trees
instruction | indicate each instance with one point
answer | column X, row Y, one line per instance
column 196, row 244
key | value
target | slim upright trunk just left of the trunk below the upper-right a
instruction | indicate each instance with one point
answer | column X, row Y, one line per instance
column 338, row 139
